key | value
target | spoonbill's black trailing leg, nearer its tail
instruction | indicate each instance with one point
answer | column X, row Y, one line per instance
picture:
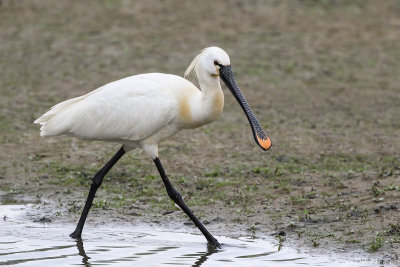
column 97, row 180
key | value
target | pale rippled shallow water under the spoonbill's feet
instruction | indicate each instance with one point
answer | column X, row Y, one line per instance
column 27, row 243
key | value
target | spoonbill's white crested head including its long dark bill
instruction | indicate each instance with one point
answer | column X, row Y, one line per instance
column 215, row 62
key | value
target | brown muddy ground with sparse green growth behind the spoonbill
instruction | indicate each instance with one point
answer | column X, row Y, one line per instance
column 321, row 76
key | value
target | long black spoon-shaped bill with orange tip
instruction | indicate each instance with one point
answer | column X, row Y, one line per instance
column 260, row 136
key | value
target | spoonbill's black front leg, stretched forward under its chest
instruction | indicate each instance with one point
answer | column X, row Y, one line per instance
column 177, row 198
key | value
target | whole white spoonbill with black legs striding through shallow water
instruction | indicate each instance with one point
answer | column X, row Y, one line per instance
column 143, row 110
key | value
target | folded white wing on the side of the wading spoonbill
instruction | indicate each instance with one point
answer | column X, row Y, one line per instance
column 128, row 109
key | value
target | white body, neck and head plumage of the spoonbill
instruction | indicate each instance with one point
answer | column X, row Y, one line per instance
column 140, row 110
